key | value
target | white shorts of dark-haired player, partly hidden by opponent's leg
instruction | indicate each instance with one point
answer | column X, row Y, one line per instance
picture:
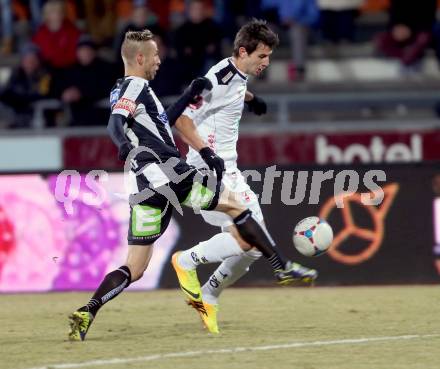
column 235, row 183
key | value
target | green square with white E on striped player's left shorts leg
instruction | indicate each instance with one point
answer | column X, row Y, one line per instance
column 145, row 221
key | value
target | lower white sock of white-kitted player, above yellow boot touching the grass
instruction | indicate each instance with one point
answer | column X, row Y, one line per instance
column 228, row 272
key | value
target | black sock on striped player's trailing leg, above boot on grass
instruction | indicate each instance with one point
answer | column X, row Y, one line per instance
column 112, row 285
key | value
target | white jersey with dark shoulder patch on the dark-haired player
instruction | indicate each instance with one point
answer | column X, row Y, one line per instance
column 218, row 118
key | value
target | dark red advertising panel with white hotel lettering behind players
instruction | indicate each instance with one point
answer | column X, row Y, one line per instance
column 319, row 148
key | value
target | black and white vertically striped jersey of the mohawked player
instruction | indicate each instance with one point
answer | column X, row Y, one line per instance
column 146, row 121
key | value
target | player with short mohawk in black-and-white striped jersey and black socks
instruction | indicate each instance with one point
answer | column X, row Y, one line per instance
column 160, row 179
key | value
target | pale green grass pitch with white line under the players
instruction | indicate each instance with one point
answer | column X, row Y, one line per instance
column 277, row 328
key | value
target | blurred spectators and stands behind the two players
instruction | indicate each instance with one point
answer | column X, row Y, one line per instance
column 59, row 59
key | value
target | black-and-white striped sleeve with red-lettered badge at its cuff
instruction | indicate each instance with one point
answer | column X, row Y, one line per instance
column 124, row 100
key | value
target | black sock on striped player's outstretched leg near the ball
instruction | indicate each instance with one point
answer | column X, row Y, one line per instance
column 254, row 234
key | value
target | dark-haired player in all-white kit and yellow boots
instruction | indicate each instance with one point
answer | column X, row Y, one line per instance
column 216, row 122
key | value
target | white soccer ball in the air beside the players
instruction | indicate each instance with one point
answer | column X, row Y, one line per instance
column 312, row 236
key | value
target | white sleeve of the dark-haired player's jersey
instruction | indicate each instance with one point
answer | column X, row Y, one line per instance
column 212, row 100
